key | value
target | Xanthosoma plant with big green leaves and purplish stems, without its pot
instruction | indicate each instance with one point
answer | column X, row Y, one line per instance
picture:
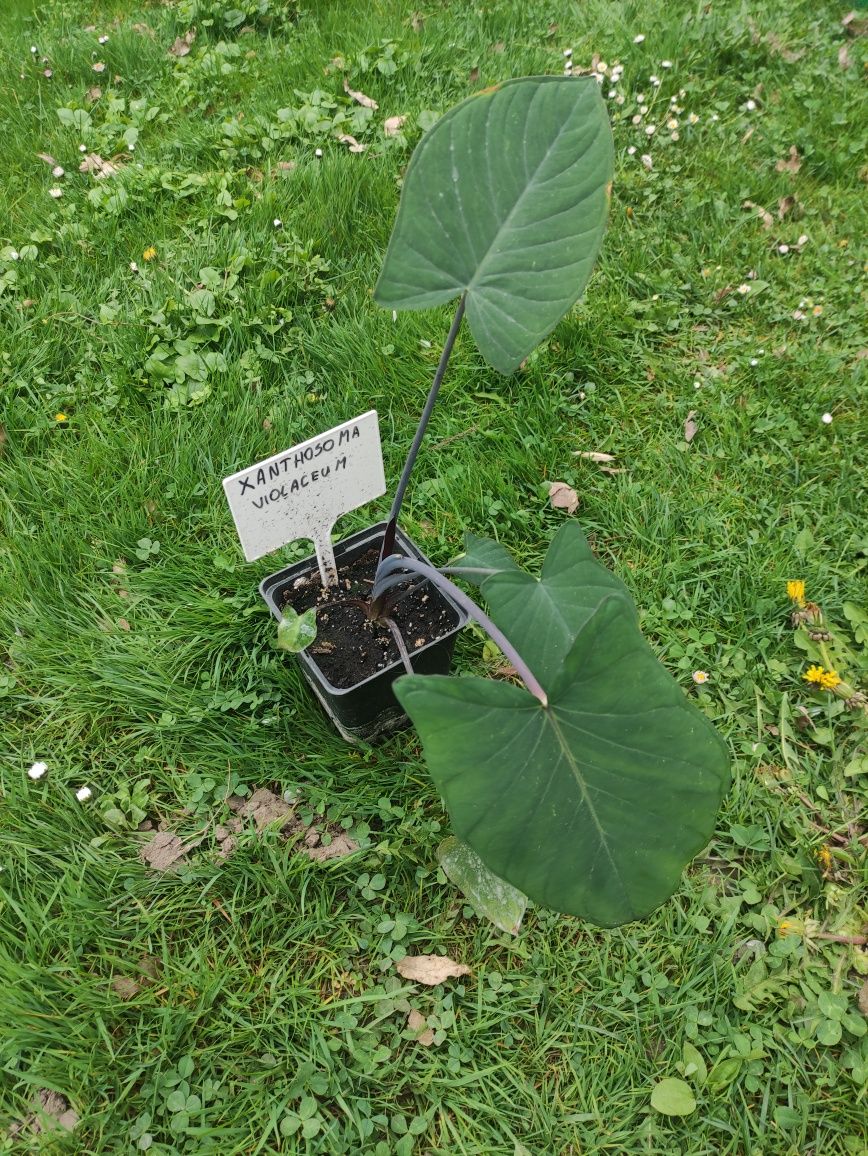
column 590, row 788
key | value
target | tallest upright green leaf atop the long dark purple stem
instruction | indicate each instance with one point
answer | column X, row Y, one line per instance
column 506, row 199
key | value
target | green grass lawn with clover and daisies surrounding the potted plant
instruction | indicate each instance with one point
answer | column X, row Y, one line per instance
column 159, row 332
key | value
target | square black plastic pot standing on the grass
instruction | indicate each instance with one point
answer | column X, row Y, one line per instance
column 369, row 710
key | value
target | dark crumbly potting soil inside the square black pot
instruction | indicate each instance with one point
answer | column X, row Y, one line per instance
column 350, row 648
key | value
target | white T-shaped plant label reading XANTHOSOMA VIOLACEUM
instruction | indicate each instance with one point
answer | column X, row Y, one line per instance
column 301, row 493
